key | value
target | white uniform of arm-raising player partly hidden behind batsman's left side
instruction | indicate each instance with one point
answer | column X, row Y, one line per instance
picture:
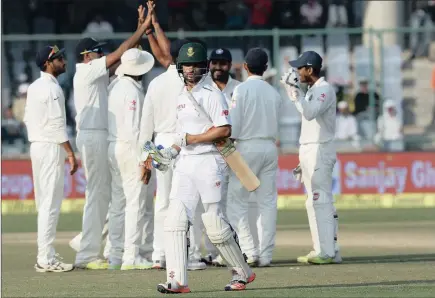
column 159, row 118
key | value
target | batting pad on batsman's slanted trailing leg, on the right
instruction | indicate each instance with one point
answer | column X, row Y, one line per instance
column 222, row 235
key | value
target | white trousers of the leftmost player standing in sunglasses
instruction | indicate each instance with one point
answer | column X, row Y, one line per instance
column 48, row 167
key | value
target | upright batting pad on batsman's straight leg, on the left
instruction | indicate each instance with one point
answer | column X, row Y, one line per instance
column 176, row 242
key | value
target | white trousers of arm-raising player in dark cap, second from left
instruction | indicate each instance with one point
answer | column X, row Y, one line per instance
column 92, row 145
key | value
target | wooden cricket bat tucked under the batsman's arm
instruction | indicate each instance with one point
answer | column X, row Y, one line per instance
column 232, row 157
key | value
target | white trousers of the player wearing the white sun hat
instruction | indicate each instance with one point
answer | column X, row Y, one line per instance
column 128, row 208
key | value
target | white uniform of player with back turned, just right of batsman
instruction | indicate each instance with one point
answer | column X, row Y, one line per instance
column 255, row 113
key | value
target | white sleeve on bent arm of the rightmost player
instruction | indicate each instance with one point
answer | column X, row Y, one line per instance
column 321, row 100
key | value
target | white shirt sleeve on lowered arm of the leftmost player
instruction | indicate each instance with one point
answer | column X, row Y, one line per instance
column 56, row 116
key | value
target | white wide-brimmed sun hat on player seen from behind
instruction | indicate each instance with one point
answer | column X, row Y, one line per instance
column 135, row 62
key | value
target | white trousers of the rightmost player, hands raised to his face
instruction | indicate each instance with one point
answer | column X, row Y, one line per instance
column 317, row 163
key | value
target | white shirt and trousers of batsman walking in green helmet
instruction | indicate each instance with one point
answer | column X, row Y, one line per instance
column 200, row 169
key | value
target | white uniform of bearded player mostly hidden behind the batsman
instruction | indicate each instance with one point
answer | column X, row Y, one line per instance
column 196, row 233
